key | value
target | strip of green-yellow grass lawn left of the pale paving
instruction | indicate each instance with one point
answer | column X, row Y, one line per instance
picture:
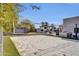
column 9, row 48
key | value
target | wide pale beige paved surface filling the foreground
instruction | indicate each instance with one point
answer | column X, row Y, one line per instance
column 40, row 45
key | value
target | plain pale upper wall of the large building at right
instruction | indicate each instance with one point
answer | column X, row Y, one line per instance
column 69, row 24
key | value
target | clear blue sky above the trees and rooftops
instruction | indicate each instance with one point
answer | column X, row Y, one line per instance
column 50, row 12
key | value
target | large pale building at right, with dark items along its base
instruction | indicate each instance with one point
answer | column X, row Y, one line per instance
column 69, row 25
